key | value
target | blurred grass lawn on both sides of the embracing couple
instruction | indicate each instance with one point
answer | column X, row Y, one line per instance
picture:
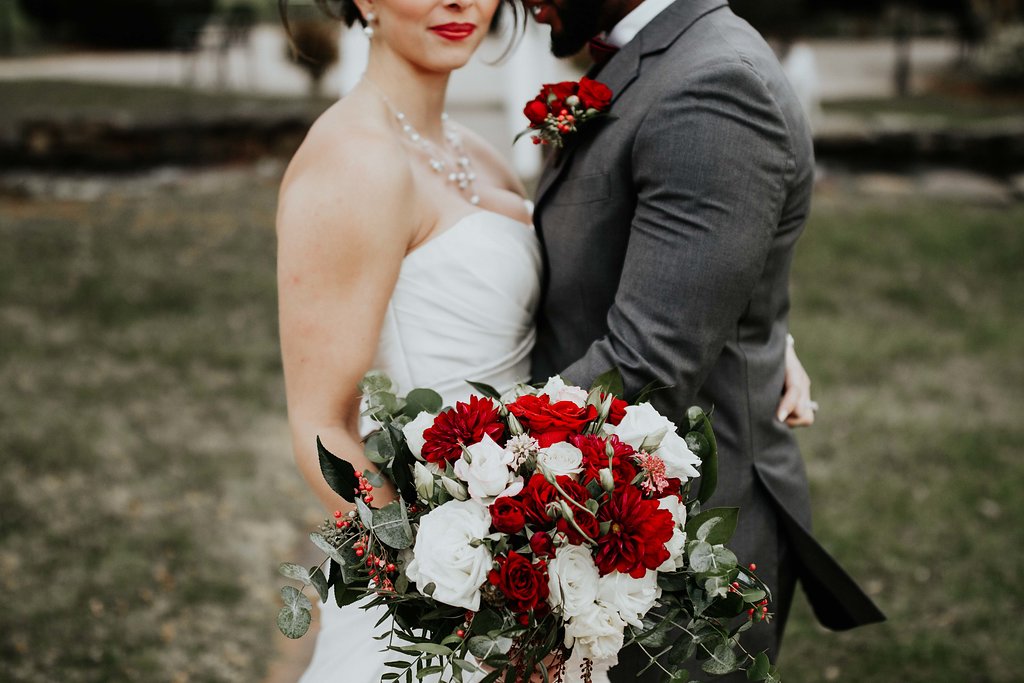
column 148, row 492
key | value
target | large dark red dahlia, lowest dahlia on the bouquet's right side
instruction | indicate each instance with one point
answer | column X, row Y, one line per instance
column 636, row 537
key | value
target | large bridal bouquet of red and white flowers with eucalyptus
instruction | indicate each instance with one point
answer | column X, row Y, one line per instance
column 533, row 526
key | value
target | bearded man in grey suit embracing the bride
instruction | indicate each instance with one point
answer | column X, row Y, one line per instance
column 668, row 230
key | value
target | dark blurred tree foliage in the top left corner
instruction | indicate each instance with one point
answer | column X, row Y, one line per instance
column 119, row 23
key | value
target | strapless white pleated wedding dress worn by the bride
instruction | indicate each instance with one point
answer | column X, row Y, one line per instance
column 462, row 310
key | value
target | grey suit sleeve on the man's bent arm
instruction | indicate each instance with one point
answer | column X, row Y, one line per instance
column 711, row 167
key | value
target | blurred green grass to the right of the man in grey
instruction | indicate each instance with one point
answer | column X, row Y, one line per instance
column 908, row 317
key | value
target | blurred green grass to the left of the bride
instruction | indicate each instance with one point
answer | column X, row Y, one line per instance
column 148, row 491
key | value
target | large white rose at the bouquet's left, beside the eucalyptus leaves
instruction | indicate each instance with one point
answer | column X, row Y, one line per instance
column 444, row 556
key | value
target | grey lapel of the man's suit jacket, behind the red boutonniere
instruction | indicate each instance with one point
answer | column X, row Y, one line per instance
column 624, row 68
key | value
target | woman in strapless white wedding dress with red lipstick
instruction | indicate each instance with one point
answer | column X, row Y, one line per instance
column 405, row 245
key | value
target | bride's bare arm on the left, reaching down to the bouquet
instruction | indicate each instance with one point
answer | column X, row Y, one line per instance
column 340, row 245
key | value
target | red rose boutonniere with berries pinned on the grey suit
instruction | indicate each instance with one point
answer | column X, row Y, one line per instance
column 561, row 109
